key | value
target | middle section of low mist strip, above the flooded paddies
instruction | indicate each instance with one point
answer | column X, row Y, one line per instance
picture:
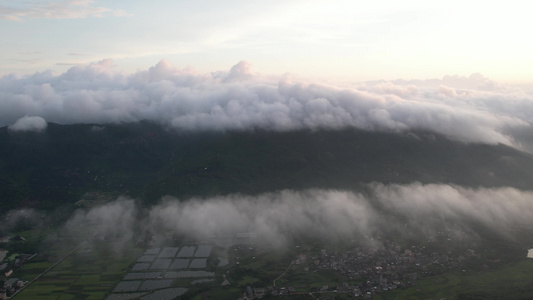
column 331, row 214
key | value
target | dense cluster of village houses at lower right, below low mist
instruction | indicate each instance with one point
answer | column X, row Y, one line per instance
column 376, row 270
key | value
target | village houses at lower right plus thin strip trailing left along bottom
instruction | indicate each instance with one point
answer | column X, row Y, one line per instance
column 369, row 270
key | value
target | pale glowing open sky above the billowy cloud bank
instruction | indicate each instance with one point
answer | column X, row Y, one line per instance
column 344, row 40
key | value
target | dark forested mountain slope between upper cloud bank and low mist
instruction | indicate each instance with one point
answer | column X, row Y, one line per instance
column 143, row 160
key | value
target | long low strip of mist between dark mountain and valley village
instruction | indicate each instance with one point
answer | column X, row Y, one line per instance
column 325, row 215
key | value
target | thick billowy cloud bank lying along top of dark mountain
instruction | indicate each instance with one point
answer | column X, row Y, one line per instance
column 470, row 109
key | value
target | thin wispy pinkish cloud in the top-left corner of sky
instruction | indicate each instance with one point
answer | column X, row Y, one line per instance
column 72, row 9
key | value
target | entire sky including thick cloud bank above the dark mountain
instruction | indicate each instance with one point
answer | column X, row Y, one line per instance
column 459, row 69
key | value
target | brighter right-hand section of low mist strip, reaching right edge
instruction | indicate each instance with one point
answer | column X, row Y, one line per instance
column 452, row 206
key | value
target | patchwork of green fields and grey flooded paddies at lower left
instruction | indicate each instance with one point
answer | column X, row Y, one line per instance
column 95, row 272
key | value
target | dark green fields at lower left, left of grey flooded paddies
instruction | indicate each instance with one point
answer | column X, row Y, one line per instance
column 70, row 269
